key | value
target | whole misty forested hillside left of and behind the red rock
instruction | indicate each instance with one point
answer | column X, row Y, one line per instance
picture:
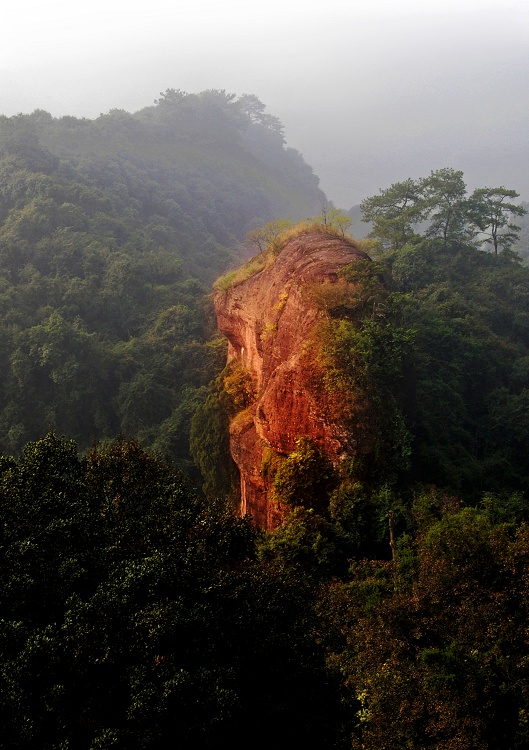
column 111, row 232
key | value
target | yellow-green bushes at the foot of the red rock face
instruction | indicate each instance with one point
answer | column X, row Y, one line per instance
column 328, row 517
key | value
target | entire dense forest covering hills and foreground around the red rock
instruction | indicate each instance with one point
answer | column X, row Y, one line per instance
column 390, row 607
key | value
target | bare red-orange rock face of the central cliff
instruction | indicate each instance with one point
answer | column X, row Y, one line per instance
column 268, row 320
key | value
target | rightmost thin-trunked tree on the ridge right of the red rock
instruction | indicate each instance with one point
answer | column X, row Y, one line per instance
column 491, row 212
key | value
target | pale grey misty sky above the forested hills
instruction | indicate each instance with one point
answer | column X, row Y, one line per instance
column 370, row 92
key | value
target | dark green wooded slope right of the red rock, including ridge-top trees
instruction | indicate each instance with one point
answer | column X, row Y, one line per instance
column 468, row 311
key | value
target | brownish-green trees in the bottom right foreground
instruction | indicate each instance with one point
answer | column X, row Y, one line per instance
column 432, row 646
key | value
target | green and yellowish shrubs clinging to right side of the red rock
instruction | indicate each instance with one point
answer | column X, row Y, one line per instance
column 364, row 357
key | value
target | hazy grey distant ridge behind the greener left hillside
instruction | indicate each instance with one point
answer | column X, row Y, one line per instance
column 210, row 158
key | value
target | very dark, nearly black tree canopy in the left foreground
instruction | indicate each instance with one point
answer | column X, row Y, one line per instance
column 132, row 612
